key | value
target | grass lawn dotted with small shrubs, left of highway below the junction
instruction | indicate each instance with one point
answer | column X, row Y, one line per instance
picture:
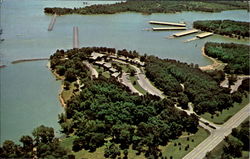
column 178, row 152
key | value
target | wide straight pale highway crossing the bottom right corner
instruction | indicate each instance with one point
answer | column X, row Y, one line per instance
column 218, row 135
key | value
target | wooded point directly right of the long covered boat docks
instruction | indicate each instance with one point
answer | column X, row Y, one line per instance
column 224, row 27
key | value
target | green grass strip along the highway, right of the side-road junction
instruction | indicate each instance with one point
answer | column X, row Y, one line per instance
column 226, row 114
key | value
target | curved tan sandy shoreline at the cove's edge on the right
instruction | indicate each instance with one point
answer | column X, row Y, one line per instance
column 215, row 65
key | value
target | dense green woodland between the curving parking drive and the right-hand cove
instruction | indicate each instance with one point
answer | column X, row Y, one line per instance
column 200, row 88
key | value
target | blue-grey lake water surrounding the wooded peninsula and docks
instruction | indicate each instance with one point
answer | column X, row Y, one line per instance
column 29, row 91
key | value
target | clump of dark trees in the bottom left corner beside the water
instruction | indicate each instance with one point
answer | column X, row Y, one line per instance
column 43, row 144
